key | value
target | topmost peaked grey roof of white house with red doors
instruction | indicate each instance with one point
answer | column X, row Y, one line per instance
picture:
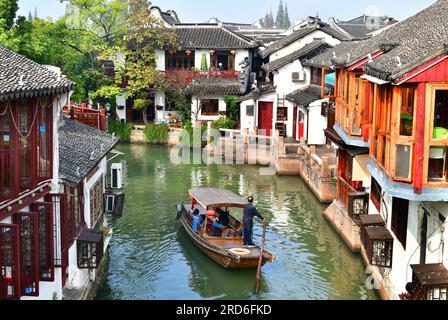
column 299, row 34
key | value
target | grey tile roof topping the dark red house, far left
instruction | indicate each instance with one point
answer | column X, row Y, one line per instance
column 37, row 80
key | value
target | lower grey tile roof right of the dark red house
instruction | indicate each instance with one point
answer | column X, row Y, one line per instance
column 82, row 147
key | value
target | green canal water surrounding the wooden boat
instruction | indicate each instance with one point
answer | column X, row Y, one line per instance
column 153, row 258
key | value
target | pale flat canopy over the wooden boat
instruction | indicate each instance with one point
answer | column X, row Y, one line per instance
column 213, row 197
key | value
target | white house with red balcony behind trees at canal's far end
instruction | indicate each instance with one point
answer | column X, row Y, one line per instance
column 213, row 62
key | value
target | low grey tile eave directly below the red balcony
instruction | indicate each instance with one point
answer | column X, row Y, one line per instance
column 215, row 86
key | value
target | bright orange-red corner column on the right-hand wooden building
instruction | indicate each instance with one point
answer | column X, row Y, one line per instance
column 419, row 149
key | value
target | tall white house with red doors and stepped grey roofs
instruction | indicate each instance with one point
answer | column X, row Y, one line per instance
column 283, row 110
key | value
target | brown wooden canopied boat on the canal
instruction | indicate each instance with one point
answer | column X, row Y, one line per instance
column 226, row 250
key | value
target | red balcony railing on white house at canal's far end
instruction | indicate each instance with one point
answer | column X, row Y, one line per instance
column 181, row 78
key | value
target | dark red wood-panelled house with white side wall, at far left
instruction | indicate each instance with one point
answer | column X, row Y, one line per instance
column 31, row 97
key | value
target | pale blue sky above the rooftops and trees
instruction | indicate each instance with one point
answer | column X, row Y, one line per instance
column 248, row 11
